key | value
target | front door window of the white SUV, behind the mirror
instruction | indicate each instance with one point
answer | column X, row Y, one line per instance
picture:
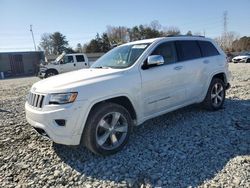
column 167, row 50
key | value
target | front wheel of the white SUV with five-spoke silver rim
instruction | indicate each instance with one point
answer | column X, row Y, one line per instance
column 107, row 129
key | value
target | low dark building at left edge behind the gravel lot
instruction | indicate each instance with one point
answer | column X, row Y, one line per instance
column 20, row 63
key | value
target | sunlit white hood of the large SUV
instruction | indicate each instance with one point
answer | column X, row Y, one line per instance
column 69, row 81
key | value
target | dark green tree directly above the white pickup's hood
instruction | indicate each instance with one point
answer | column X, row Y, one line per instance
column 59, row 43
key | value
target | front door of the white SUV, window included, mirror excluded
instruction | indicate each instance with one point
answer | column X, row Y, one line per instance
column 163, row 86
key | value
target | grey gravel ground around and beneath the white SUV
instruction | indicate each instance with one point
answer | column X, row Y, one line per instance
column 190, row 147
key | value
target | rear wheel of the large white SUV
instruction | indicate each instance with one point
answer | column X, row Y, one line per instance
column 216, row 93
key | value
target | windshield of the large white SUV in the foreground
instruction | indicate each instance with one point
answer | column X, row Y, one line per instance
column 121, row 57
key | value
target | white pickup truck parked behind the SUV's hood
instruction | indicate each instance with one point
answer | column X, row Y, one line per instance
column 64, row 63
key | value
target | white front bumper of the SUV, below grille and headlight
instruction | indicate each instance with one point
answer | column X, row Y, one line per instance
column 43, row 120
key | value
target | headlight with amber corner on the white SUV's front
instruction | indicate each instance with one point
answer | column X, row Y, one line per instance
column 62, row 98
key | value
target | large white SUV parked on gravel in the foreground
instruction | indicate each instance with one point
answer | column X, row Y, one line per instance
column 132, row 83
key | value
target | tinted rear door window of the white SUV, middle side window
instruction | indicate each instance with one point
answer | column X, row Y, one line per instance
column 188, row 50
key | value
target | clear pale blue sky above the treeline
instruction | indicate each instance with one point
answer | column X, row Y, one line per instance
column 80, row 21
